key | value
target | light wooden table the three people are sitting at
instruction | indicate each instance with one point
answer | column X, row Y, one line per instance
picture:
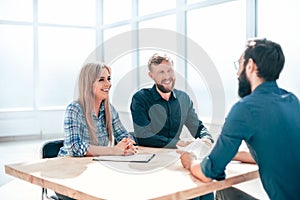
column 162, row 178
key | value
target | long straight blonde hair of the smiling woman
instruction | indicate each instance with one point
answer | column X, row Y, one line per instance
column 88, row 75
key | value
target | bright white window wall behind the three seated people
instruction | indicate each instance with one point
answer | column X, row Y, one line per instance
column 44, row 43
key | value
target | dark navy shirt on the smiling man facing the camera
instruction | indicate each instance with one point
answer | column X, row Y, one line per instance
column 158, row 123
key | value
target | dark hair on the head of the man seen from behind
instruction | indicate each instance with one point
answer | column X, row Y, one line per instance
column 268, row 57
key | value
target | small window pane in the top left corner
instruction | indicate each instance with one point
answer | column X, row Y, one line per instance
column 20, row 10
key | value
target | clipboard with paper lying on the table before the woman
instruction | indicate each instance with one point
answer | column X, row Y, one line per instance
column 142, row 158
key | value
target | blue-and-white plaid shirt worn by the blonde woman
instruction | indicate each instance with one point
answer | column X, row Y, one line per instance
column 77, row 141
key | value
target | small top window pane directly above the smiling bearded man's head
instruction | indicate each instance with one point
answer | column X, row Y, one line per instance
column 148, row 7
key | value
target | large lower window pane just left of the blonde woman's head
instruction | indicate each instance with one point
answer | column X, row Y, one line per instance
column 62, row 52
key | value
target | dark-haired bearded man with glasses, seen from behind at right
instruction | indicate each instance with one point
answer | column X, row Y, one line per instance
column 267, row 118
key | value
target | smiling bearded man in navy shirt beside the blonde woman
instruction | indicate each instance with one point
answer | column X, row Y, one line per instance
column 160, row 112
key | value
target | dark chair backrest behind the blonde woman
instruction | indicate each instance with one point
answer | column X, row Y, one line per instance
column 51, row 148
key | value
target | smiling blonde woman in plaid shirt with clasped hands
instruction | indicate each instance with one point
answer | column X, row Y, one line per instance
column 91, row 123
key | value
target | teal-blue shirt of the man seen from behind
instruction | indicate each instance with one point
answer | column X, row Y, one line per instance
column 268, row 120
